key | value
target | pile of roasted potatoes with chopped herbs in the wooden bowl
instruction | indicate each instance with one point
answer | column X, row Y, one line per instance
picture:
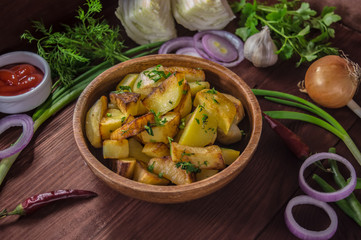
column 166, row 126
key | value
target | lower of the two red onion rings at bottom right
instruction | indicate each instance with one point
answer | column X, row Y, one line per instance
column 303, row 233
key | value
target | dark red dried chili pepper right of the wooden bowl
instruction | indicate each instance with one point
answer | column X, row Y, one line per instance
column 291, row 139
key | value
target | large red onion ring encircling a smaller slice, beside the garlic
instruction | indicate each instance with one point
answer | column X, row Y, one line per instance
column 237, row 43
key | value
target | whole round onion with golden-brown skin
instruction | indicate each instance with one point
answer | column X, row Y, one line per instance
column 330, row 82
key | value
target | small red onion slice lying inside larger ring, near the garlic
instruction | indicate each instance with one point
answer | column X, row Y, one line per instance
column 219, row 48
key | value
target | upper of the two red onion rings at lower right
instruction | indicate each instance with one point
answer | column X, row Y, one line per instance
column 331, row 196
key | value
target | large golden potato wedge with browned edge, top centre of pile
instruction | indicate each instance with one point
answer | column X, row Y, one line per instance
column 167, row 95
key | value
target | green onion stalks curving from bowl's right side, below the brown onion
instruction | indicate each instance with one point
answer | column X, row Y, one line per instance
column 323, row 120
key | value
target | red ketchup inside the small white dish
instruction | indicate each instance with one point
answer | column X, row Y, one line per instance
column 18, row 79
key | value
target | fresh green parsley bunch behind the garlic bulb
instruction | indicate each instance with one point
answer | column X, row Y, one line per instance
column 295, row 27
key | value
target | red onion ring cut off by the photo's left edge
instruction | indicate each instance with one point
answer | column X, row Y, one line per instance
column 28, row 130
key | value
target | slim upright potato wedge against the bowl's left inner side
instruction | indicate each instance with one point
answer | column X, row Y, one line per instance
column 92, row 121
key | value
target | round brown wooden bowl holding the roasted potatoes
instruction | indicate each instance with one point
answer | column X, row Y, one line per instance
column 223, row 79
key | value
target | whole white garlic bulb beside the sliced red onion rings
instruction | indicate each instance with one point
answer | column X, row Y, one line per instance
column 260, row 49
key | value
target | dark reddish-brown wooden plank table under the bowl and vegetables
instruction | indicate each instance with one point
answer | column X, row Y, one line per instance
column 250, row 207
